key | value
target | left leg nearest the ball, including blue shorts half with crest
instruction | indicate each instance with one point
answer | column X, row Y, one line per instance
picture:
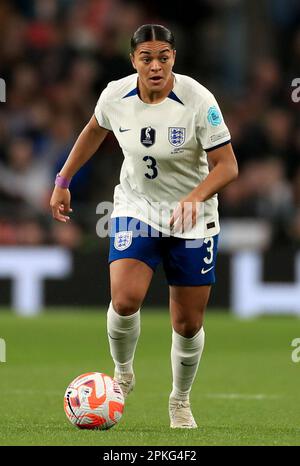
column 133, row 257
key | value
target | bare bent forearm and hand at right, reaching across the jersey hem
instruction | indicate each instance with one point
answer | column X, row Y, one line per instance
column 224, row 171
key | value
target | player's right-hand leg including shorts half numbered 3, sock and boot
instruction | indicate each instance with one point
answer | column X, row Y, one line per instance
column 190, row 273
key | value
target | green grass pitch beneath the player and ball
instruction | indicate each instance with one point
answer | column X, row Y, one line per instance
column 246, row 391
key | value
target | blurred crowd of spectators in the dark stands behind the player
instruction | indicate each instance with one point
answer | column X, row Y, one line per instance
column 56, row 56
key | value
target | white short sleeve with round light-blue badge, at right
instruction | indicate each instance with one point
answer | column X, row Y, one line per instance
column 212, row 131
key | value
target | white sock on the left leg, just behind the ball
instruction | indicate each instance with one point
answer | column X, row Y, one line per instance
column 123, row 333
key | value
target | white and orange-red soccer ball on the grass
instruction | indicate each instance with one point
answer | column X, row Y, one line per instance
column 94, row 401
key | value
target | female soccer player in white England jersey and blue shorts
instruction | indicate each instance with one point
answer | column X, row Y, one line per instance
column 165, row 207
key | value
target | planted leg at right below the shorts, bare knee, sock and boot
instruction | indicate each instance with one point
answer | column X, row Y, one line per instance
column 187, row 306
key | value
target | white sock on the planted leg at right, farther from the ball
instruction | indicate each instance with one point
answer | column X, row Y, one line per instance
column 185, row 358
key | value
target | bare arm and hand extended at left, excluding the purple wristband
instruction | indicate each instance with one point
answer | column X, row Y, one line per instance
column 84, row 148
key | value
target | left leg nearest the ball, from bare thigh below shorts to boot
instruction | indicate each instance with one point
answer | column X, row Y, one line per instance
column 130, row 280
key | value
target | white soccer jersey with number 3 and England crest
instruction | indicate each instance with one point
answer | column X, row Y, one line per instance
column 164, row 147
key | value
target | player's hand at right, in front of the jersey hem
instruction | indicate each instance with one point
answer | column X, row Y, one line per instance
column 185, row 215
